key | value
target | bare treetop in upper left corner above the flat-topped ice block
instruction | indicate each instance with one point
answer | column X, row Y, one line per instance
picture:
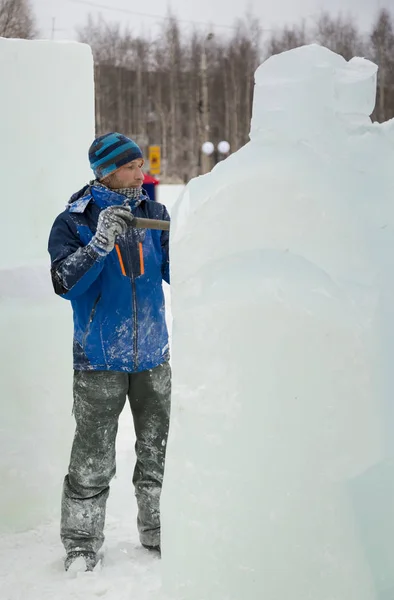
column 17, row 19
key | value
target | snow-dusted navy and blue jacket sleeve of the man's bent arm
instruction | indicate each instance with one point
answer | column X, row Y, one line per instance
column 74, row 267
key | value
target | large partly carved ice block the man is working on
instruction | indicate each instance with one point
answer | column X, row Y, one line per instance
column 279, row 482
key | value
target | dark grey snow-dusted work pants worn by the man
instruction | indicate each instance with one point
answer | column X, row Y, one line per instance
column 99, row 397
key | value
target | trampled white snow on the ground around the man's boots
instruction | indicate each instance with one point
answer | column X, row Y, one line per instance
column 31, row 563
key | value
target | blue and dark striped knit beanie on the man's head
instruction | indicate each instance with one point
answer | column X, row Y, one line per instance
column 111, row 151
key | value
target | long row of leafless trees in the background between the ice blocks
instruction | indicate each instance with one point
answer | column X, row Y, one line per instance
column 179, row 90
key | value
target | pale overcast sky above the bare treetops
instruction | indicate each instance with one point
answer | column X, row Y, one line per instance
column 148, row 15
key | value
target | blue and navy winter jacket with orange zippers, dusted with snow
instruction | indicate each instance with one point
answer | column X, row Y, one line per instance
column 117, row 299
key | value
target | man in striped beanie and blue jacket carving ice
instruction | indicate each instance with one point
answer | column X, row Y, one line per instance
column 112, row 273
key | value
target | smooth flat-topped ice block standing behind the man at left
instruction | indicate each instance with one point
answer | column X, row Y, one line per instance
column 46, row 126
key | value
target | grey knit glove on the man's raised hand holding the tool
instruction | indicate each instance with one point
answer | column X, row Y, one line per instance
column 112, row 221
